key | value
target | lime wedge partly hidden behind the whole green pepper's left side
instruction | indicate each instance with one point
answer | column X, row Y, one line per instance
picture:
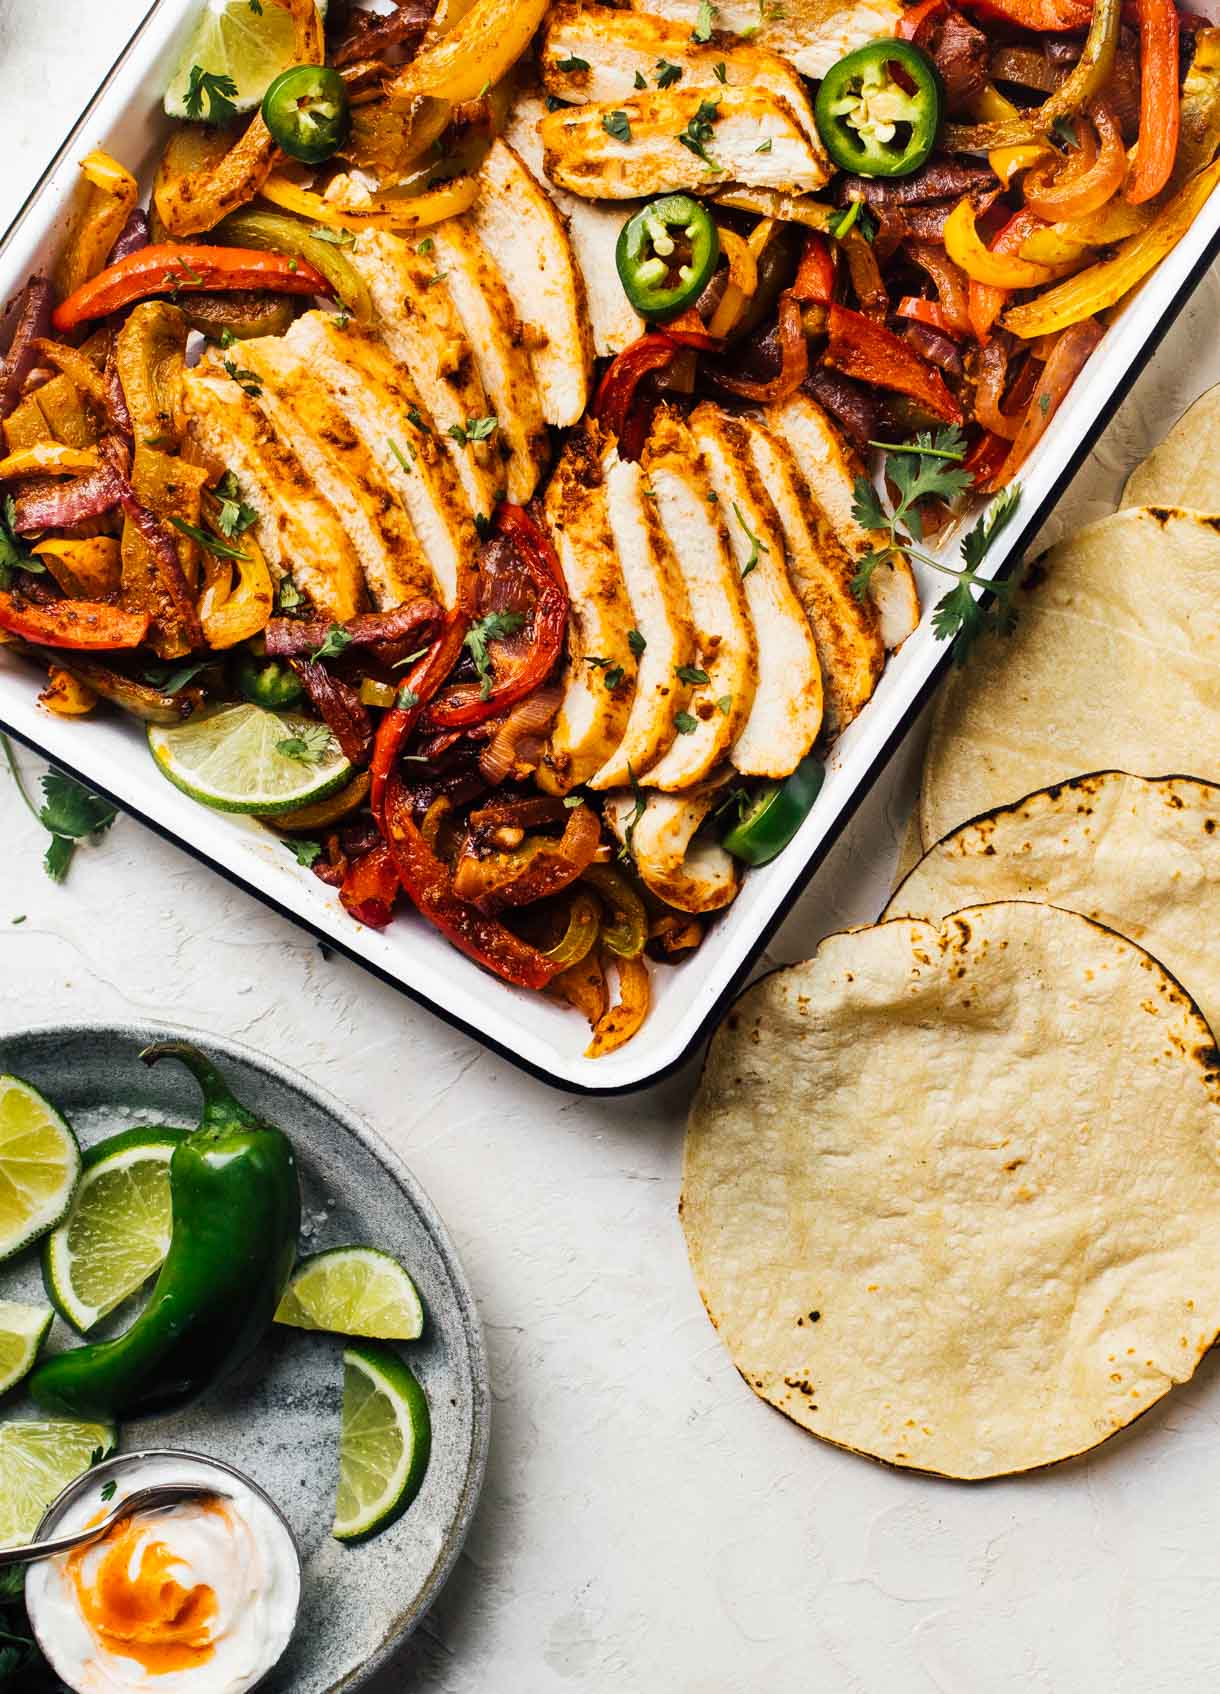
column 118, row 1231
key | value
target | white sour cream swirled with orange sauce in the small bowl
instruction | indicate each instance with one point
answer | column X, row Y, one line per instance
column 197, row 1598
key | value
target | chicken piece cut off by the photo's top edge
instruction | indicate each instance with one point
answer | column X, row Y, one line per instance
column 811, row 35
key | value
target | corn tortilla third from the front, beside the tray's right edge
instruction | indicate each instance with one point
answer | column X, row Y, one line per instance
column 1114, row 667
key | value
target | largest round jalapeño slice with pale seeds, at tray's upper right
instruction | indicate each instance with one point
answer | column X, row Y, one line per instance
column 879, row 109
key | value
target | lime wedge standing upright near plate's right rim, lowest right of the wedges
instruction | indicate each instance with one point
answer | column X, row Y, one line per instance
column 384, row 1444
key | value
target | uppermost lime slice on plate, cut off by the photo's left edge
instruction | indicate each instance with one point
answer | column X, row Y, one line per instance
column 40, row 1163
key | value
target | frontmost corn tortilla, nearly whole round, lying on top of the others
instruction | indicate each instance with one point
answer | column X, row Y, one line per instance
column 953, row 1193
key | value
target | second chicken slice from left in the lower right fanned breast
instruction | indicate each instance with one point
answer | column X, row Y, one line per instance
column 662, row 616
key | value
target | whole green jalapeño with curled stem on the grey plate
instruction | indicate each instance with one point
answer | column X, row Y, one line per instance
column 236, row 1217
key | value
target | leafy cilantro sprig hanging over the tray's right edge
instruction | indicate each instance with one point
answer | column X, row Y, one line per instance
column 931, row 470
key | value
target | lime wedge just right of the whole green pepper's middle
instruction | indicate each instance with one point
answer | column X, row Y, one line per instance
column 353, row 1292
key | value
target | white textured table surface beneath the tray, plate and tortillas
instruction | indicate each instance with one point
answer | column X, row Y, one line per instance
column 648, row 1524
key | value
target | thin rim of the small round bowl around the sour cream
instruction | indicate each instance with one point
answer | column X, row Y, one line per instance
column 170, row 1466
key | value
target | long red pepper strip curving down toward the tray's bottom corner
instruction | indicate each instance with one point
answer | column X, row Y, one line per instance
column 430, row 887
